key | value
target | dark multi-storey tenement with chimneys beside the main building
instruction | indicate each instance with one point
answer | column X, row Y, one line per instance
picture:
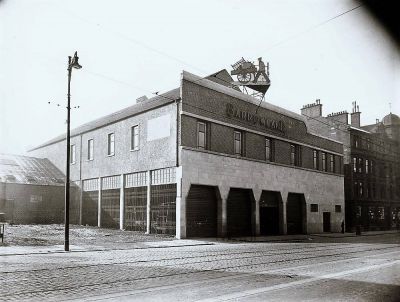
column 371, row 165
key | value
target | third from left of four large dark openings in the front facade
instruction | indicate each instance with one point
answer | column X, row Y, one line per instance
column 269, row 213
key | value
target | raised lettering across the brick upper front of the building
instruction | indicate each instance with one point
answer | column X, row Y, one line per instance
column 254, row 119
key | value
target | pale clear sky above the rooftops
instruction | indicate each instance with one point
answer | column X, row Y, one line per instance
column 133, row 48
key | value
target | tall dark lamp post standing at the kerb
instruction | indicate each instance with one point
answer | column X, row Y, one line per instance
column 72, row 63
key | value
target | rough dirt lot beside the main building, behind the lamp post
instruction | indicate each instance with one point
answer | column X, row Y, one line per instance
column 53, row 234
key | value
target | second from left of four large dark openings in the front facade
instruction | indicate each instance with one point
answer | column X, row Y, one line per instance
column 239, row 207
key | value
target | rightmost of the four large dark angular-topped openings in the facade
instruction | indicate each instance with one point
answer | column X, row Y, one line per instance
column 295, row 213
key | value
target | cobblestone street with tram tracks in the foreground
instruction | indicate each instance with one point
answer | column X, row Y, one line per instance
column 365, row 268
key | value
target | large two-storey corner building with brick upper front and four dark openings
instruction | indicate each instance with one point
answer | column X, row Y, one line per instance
column 204, row 160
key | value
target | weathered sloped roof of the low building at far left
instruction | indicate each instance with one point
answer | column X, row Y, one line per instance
column 29, row 170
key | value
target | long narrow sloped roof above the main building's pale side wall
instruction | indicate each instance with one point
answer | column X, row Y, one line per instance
column 152, row 103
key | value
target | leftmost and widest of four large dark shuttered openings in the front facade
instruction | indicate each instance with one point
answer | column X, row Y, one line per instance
column 201, row 212
